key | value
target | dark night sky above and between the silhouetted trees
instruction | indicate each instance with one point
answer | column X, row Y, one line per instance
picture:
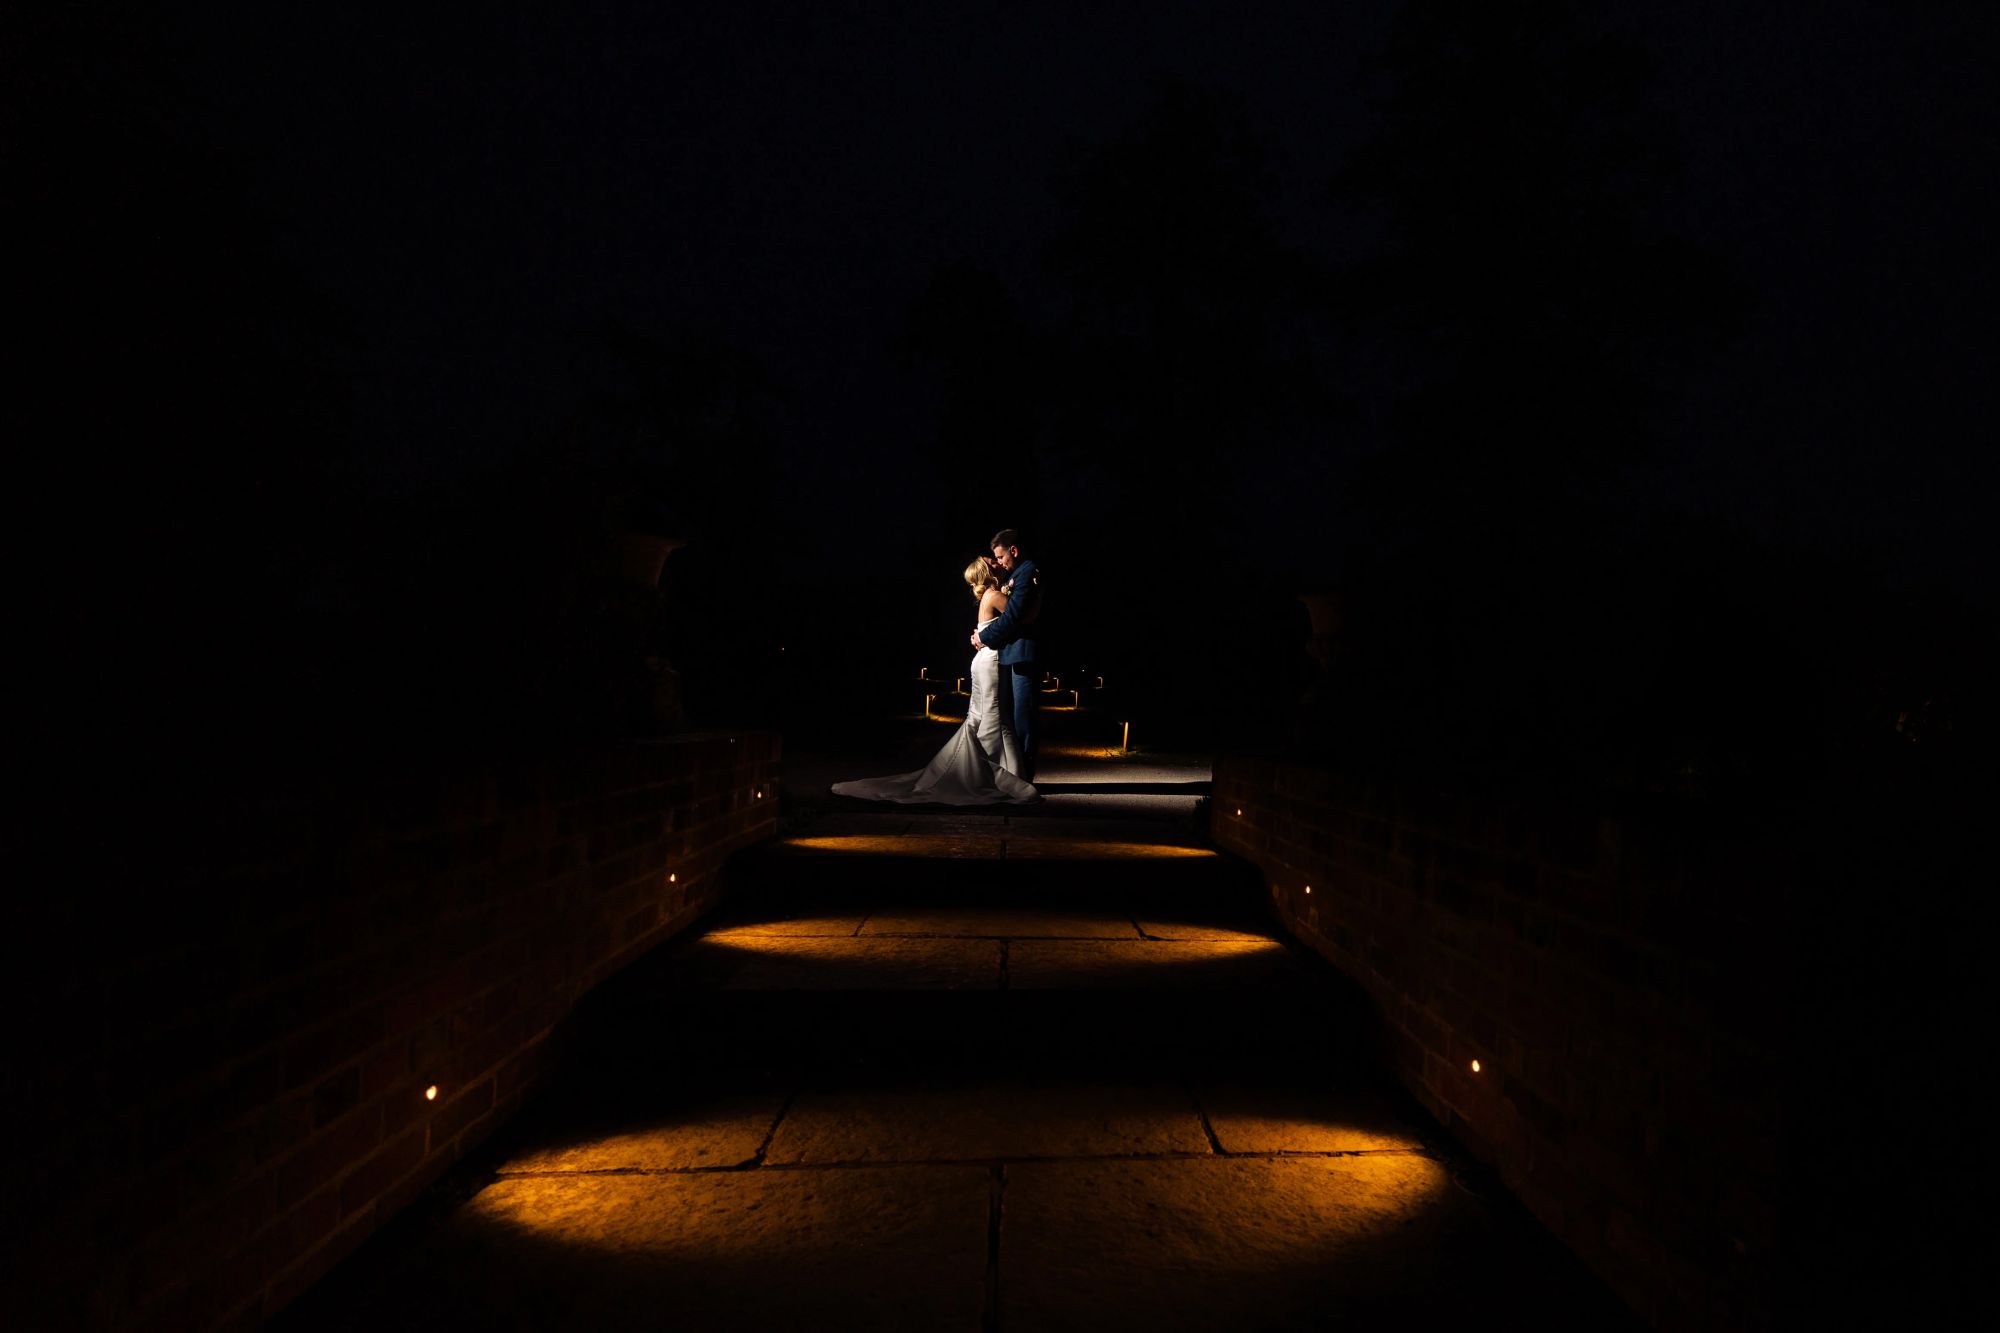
column 477, row 189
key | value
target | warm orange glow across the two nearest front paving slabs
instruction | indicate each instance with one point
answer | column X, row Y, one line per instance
column 1311, row 1216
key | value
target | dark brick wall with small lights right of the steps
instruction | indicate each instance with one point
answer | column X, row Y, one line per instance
column 1621, row 984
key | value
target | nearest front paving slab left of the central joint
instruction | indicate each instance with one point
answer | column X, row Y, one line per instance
column 871, row 1250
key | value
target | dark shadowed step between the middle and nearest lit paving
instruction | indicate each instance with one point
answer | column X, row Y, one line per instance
column 1271, row 1008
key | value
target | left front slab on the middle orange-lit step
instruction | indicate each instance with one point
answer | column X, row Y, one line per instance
column 817, row 964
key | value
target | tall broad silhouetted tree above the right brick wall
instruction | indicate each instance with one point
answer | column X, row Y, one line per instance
column 1535, row 311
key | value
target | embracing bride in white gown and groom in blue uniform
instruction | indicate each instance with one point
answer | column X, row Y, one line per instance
column 991, row 760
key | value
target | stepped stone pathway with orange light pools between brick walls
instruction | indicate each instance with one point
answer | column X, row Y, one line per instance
column 969, row 1072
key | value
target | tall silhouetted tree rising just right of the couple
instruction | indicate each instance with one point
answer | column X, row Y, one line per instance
column 1175, row 345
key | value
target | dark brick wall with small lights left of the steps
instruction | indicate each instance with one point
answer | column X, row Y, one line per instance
column 231, row 1068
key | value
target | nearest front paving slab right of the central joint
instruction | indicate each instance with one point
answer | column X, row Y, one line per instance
column 1201, row 1244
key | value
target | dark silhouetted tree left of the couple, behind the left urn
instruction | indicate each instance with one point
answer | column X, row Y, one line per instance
column 673, row 435
